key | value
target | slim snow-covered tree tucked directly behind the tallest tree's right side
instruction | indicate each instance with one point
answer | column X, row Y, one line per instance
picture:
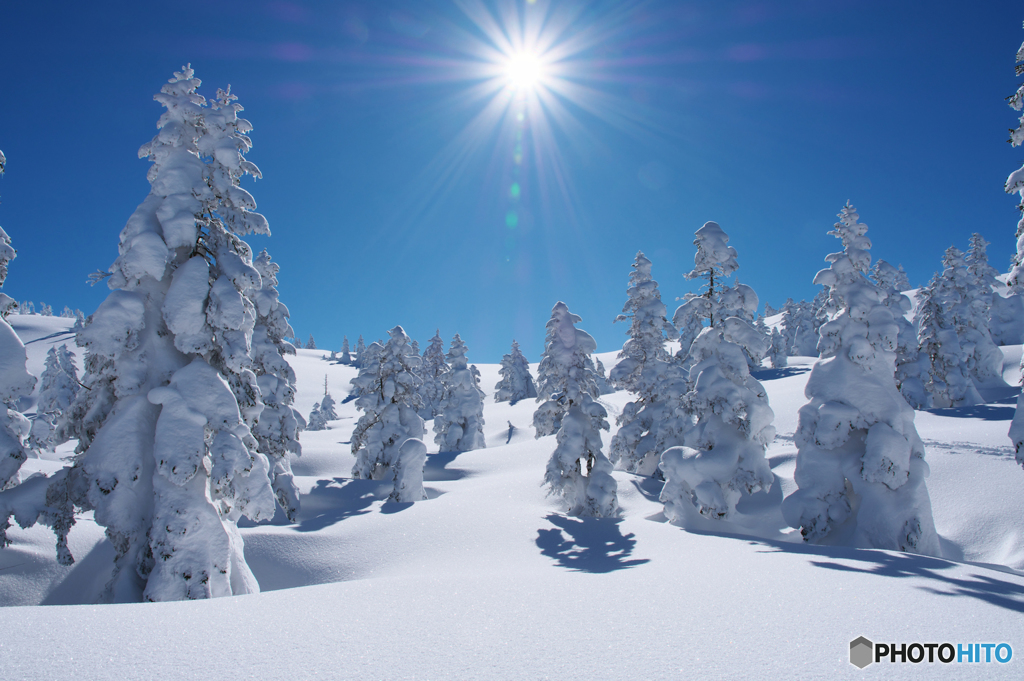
column 279, row 424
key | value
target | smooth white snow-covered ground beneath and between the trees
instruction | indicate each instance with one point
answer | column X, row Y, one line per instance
column 488, row 580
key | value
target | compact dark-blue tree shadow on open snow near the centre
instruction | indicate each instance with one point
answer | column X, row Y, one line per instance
column 589, row 545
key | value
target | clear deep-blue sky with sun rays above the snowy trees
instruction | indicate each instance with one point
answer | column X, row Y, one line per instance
column 389, row 140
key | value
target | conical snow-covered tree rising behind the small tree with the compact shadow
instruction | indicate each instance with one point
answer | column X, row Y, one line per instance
column 564, row 369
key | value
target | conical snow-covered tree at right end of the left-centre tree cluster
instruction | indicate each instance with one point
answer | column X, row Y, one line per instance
column 459, row 425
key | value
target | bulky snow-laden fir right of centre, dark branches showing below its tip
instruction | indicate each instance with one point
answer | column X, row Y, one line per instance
column 723, row 457
